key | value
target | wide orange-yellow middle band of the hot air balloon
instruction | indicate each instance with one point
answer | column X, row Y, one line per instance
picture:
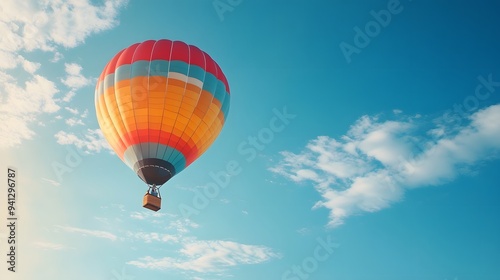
column 195, row 114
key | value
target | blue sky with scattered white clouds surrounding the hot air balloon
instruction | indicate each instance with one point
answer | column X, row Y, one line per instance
column 362, row 142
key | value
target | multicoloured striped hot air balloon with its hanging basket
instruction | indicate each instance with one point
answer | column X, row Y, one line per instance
column 160, row 105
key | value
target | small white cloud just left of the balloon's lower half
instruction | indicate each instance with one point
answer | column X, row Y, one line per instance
column 90, row 141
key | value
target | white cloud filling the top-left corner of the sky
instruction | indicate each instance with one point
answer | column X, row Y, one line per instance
column 30, row 24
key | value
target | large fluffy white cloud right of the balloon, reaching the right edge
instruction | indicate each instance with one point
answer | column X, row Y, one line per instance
column 370, row 167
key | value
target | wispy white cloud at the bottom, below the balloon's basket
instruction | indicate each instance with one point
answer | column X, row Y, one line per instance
column 192, row 255
